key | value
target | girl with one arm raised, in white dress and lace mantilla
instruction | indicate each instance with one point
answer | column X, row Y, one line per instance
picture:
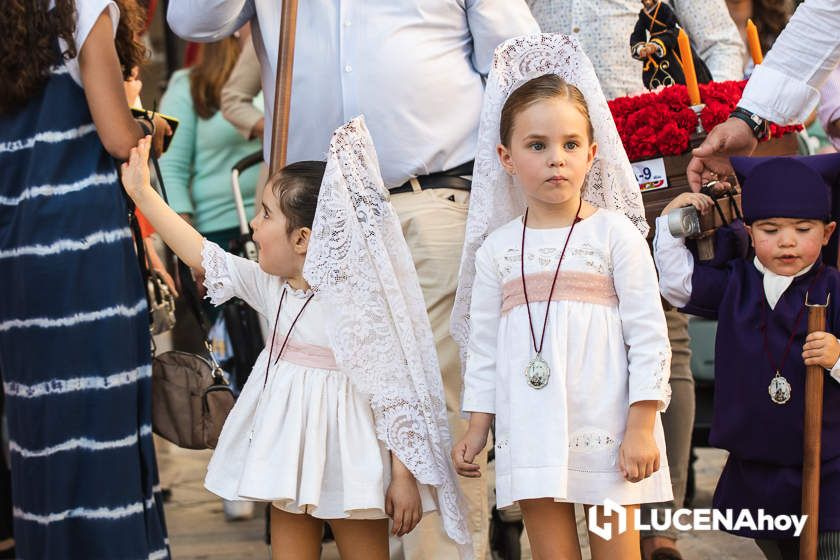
column 305, row 432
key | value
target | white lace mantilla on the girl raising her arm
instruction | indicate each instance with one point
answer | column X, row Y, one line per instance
column 380, row 332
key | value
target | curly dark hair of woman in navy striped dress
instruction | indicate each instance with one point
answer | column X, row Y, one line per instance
column 28, row 46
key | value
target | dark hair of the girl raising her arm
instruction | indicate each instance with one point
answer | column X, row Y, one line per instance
column 296, row 187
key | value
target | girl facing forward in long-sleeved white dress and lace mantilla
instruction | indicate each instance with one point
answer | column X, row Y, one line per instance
column 567, row 343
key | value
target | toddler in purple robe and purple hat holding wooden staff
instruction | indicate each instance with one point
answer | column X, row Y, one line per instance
column 761, row 348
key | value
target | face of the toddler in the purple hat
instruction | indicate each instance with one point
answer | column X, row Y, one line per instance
column 787, row 245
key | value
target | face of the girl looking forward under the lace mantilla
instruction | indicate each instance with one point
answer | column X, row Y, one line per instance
column 549, row 153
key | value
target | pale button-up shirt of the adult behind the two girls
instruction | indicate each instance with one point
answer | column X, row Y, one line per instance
column 412, row 67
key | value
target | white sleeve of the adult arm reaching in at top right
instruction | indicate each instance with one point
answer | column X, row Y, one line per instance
column 785, row 87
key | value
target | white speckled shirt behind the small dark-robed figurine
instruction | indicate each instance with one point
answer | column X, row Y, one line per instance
column 603, row 28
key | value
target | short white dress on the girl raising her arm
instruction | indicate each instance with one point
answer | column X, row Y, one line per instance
column 307, row 440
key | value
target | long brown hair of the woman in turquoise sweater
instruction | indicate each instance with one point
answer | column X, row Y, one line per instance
column 210, row 73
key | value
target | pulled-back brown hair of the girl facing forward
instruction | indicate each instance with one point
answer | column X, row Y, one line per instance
column 549, row 86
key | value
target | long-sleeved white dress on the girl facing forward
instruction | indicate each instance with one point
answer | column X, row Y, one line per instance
column 607, row 347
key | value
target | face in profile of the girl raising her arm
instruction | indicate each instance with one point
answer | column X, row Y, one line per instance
column 281, row 253
